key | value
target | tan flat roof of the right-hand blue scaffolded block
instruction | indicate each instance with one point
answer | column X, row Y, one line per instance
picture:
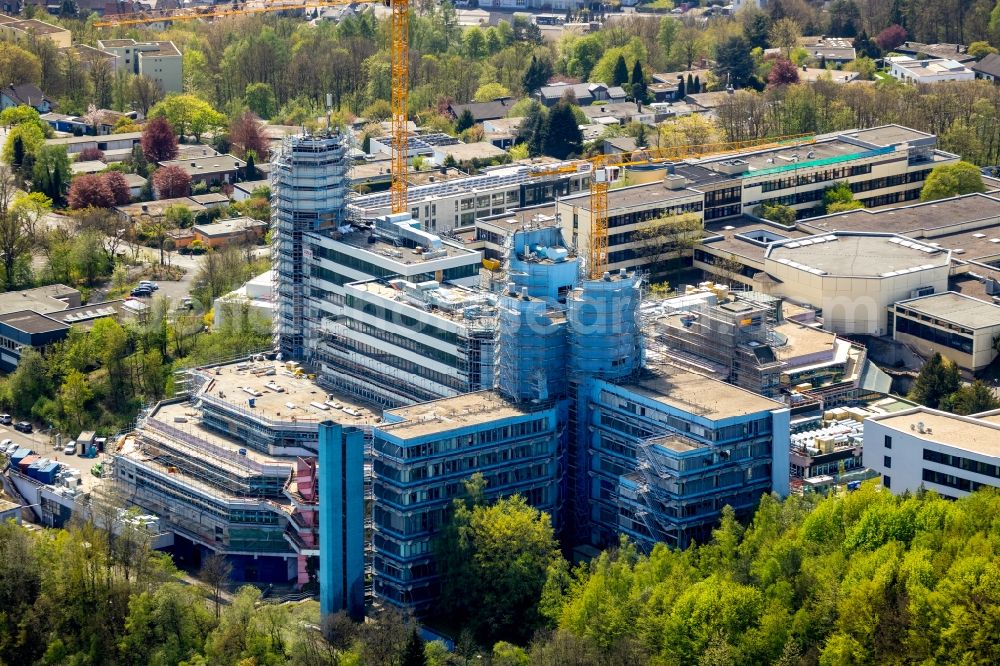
column 699, row 394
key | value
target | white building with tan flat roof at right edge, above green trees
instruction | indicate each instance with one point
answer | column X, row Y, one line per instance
column 950, row 454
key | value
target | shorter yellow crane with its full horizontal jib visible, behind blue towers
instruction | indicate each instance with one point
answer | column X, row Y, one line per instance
column 601, row 167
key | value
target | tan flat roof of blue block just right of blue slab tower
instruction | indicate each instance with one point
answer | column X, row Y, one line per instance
column 440, row 416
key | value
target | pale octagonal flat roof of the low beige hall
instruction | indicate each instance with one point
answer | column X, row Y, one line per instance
column 858, row 255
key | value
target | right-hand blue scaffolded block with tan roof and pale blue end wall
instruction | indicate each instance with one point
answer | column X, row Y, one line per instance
column 671, row 448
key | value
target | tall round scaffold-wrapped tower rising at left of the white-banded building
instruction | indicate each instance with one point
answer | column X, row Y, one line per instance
column 309, row 184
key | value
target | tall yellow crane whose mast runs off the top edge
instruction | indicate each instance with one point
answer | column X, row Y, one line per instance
column 399, row 48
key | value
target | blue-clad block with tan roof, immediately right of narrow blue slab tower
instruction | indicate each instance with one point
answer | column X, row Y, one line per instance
column 424, row 453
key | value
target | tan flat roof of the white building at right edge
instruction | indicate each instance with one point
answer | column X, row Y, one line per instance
column 968, row 433
